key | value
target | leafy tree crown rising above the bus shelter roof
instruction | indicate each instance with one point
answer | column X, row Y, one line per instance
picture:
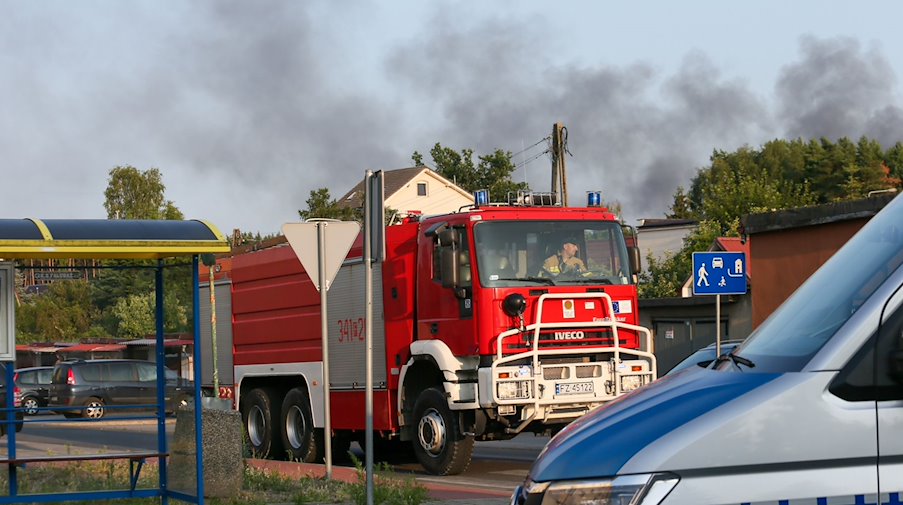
column 133, row 194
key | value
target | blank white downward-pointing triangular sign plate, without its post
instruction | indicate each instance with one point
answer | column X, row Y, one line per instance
column 339, row 237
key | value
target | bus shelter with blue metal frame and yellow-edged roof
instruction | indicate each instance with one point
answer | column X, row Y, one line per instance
column 161, row 244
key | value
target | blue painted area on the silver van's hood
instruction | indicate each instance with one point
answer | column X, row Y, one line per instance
column 601, row 442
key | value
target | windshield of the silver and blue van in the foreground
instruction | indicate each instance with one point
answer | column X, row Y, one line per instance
column 799, row 328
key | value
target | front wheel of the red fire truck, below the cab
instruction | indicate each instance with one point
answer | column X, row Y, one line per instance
column 439, row 445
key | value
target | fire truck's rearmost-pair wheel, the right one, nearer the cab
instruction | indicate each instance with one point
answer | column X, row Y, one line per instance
column 302, row 442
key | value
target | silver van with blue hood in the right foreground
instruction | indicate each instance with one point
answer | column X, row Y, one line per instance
column 808, row 410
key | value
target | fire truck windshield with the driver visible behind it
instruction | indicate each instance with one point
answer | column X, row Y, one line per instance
column 518, row 253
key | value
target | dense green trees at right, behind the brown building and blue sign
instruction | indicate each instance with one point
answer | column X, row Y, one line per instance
column 782, row 174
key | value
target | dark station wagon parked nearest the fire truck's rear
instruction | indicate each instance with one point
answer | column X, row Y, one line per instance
column 95, row 384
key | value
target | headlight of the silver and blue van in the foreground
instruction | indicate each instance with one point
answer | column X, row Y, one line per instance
column 648, row 489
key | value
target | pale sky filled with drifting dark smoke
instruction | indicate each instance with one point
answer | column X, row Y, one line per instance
column 246, row 107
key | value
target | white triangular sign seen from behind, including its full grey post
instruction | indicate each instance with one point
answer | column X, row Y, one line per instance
column 337, row 237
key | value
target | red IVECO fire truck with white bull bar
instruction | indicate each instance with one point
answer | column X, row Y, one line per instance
column 474, row 336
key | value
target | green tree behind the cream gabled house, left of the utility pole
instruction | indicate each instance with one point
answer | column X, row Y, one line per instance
column 492, row 171
